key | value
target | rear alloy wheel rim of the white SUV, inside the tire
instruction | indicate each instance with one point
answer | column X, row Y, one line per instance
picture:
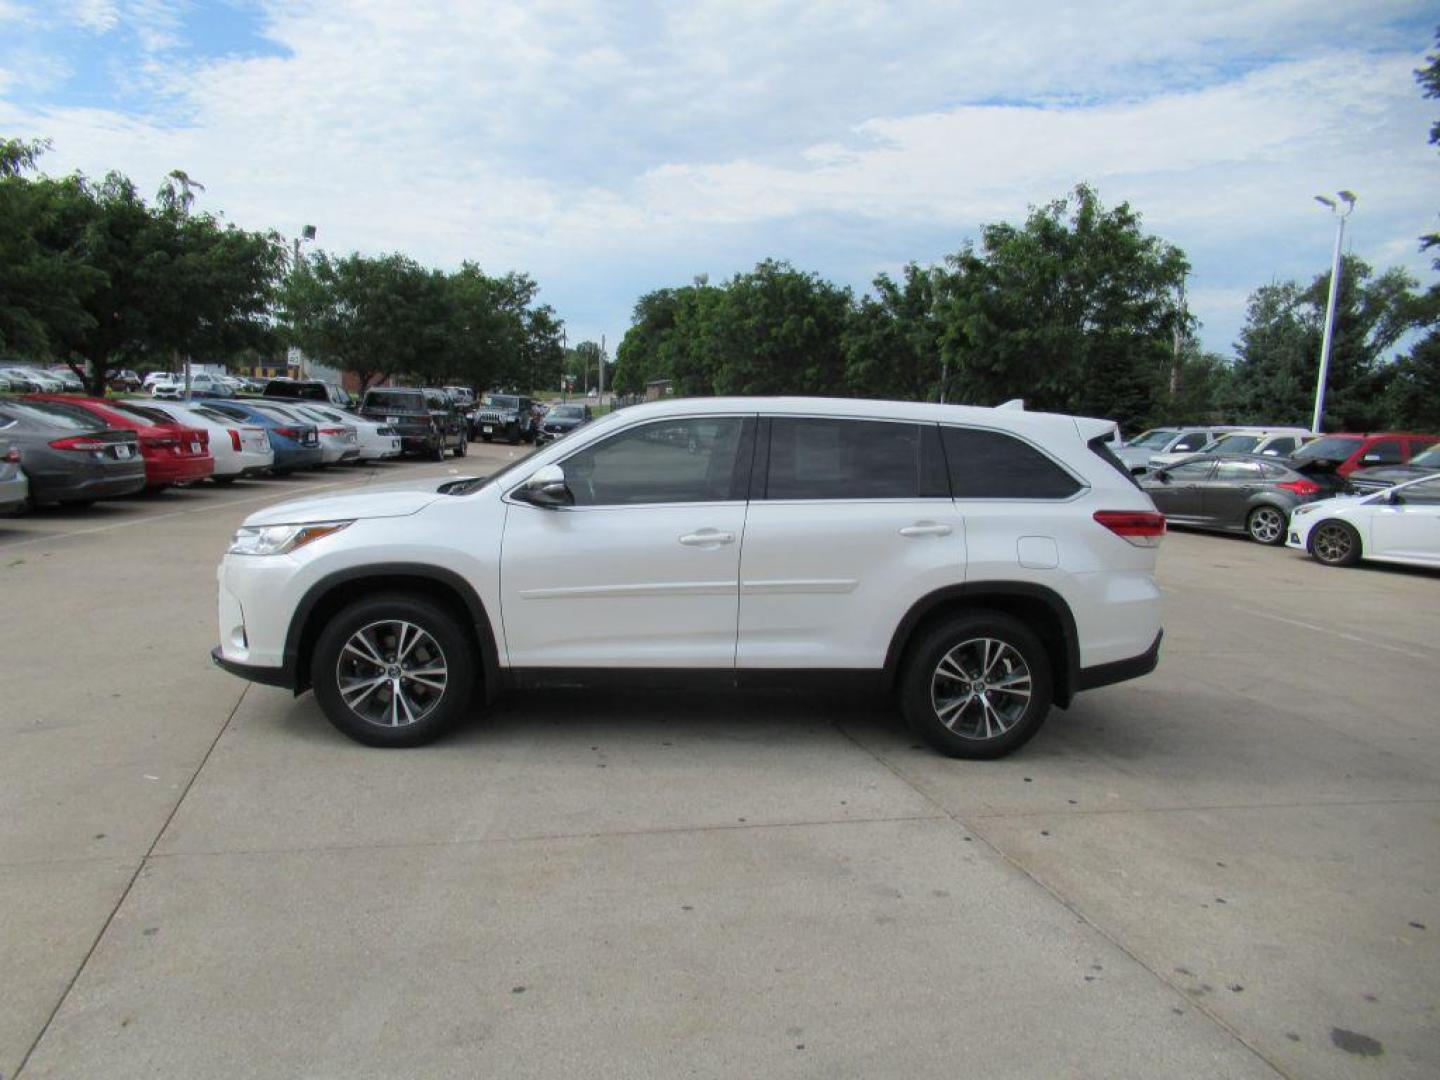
column 981, row 689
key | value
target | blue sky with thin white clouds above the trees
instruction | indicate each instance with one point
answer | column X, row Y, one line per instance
column 610, row 149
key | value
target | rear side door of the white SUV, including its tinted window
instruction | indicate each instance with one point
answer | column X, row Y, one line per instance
column 850, row 522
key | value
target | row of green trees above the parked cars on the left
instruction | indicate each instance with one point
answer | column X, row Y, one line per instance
column 97, row 277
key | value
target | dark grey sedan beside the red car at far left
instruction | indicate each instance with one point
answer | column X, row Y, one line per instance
column 70, row 457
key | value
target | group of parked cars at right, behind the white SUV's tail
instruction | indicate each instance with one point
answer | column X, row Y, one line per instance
column 1341, row 498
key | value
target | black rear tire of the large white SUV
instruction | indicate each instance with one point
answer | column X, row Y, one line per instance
column 978, row 726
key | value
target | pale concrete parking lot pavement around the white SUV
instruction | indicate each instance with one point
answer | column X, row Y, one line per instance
column 1230, row 868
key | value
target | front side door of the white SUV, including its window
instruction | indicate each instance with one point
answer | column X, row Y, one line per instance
column 644, row 570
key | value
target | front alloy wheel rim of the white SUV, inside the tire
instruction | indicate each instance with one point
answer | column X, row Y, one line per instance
column 392, row 673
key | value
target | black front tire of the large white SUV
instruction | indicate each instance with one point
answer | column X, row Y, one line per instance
column 446, row 646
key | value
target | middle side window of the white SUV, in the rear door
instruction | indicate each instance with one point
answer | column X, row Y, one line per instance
column 842, row 459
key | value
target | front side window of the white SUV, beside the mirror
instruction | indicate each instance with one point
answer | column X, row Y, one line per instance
column 667, row 462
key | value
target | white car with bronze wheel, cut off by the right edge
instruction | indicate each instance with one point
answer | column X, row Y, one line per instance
column 1400, row 525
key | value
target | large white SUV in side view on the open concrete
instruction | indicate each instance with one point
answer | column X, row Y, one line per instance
column 981, row 564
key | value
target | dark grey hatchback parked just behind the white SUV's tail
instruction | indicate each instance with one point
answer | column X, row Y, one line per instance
column 1232, row 493
